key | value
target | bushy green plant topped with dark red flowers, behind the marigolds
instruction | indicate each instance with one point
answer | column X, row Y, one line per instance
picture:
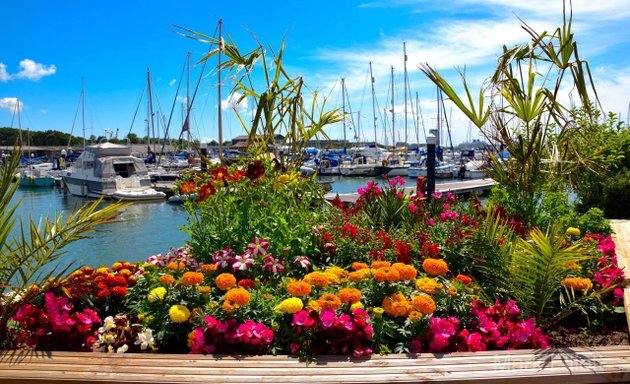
column 281, row 207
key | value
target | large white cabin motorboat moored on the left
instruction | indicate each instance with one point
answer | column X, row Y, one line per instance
column 108, row 170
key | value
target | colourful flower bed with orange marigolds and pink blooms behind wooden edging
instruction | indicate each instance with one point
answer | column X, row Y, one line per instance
column 268, row 272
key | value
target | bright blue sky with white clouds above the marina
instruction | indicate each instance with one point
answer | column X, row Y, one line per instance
column 48, row 47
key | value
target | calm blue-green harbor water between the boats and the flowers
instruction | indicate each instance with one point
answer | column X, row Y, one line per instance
column 141, row 230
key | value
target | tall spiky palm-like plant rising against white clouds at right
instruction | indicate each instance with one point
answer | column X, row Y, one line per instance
column 520, row 110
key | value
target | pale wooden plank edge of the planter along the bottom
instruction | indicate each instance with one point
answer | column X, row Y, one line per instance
column 576, row 365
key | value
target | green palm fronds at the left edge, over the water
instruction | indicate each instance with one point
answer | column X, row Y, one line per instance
column 27, row 254
